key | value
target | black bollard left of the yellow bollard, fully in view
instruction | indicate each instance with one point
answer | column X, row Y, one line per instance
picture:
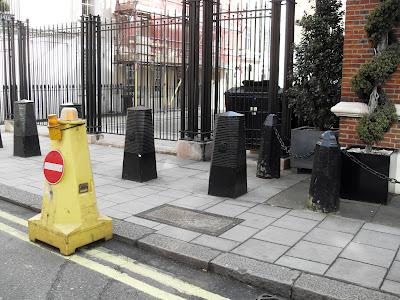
column 26, row 140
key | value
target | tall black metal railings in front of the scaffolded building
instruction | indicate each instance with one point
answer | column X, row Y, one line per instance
column 138, row 59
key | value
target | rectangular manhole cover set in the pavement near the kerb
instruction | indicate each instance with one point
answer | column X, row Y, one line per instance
column 190, row 219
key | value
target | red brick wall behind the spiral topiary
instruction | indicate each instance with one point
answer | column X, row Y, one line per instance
column 357, row 51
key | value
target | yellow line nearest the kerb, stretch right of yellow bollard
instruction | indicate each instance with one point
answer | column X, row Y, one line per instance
column 149, row 272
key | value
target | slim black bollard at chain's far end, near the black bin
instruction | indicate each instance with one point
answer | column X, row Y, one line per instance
column 269, row 159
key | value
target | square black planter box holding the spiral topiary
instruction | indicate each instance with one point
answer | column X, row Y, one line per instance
column 359, row 184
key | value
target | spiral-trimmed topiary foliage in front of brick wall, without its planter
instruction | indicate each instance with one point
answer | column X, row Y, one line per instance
column 369, row 80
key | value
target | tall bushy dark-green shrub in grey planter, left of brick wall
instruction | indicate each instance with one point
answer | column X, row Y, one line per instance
column 316, row 78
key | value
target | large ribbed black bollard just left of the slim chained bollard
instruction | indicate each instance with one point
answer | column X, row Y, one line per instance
column 228, row 174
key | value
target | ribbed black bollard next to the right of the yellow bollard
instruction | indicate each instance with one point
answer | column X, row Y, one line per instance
column 139, row 154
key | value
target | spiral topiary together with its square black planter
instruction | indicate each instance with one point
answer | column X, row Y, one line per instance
column 357, row 182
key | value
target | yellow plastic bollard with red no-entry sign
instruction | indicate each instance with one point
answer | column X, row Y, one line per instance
column 69, row 217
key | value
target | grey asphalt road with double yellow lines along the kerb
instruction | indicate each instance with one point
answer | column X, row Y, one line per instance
column 111, row 270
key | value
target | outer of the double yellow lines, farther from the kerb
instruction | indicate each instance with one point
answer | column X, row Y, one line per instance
column 107, row 271
